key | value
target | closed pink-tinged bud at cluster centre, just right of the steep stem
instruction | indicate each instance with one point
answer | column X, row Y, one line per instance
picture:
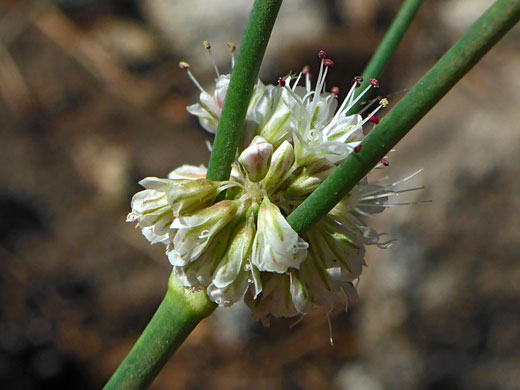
column 256, row 158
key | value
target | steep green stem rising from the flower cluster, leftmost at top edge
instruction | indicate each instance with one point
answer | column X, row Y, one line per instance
column 240, row 90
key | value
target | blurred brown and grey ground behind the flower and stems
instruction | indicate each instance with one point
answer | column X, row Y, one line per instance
column 92, row 100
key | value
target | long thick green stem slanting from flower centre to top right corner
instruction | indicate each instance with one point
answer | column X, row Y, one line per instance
column 486, row 32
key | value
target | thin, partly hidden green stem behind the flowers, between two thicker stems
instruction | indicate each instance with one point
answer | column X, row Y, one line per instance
column 387, row 47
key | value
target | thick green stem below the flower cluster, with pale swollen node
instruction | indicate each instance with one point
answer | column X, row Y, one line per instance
column 176, row 317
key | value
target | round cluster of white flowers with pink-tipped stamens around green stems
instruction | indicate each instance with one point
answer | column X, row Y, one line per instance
column 243, row 246
